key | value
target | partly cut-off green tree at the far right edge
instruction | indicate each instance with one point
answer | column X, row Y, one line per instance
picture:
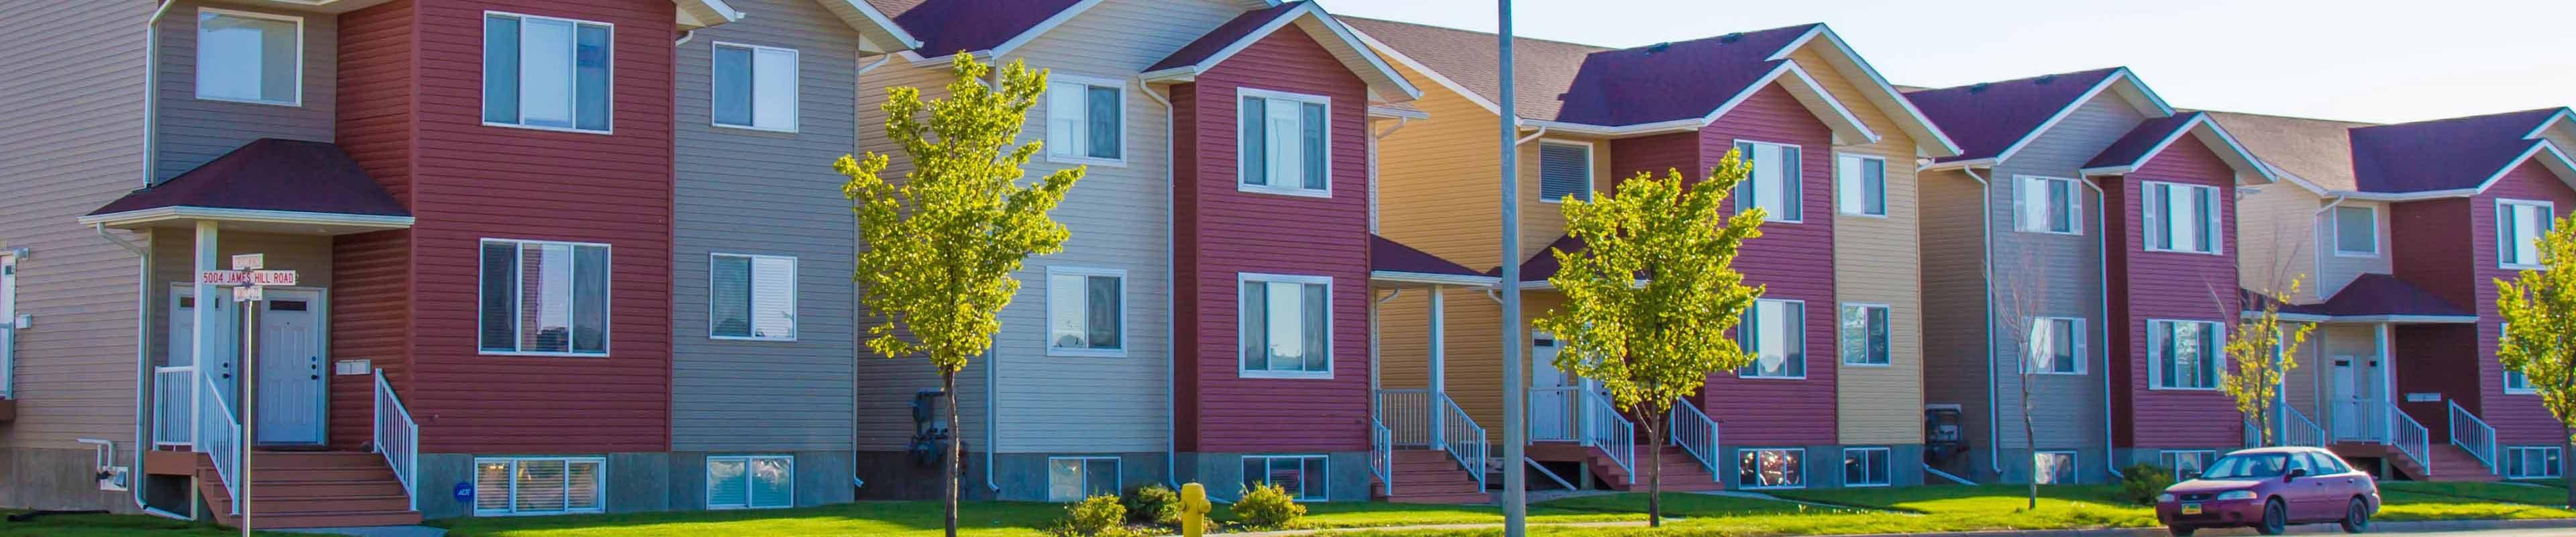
column 2541, row 334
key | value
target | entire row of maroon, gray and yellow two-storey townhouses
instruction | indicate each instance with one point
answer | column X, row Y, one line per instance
column 591, row 257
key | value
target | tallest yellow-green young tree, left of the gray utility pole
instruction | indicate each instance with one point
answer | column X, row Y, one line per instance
column 942, row 244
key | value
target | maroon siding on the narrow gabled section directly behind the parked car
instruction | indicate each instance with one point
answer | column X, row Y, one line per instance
column 2155, row 285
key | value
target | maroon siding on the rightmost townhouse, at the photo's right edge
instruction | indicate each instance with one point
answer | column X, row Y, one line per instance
column 2521, row 420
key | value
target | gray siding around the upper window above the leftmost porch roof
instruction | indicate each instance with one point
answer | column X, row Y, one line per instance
column 197, row 130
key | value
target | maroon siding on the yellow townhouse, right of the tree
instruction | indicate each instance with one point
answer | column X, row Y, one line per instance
column 1797, row 262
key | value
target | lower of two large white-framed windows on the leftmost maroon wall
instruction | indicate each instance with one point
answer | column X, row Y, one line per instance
column 542, row 298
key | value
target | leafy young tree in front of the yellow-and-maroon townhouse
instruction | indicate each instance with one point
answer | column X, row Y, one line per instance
column 1653, row 296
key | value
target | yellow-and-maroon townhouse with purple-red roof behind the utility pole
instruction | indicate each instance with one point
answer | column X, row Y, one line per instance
column 1833, row 148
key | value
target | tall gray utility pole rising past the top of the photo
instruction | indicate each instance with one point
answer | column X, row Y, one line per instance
column 1516, row 414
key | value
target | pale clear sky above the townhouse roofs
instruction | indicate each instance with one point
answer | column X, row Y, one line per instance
column 2358, row 61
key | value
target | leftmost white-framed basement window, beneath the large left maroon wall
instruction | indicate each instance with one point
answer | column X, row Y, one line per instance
column 540, row 487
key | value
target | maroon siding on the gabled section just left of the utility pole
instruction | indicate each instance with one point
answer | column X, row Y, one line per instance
column 1225, row 234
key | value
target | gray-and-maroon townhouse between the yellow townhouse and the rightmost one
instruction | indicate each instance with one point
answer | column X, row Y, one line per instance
column 2083, row 244
